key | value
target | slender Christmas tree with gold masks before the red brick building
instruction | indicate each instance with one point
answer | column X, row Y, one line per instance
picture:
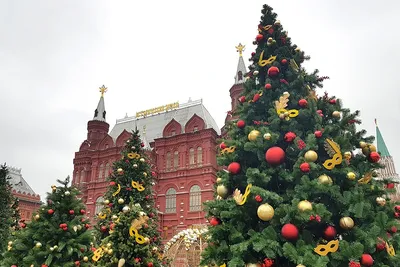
column 128, row 221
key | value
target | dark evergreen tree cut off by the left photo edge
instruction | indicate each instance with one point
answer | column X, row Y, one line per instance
column 6, row 210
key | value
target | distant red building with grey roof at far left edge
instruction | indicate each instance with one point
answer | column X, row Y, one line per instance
column 29, row 201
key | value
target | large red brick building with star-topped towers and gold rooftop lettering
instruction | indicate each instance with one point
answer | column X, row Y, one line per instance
column 181, row 139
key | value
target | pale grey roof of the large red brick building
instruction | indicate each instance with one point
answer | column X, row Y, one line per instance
column 154, row 124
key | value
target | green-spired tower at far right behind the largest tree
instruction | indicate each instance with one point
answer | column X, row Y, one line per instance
column 389, row 170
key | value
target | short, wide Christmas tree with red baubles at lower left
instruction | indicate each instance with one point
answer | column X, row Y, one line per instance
column 58, row 235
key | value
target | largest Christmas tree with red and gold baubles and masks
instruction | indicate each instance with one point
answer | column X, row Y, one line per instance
column 299, row 189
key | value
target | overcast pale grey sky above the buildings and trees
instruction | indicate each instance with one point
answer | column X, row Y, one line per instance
column 55, row 54
